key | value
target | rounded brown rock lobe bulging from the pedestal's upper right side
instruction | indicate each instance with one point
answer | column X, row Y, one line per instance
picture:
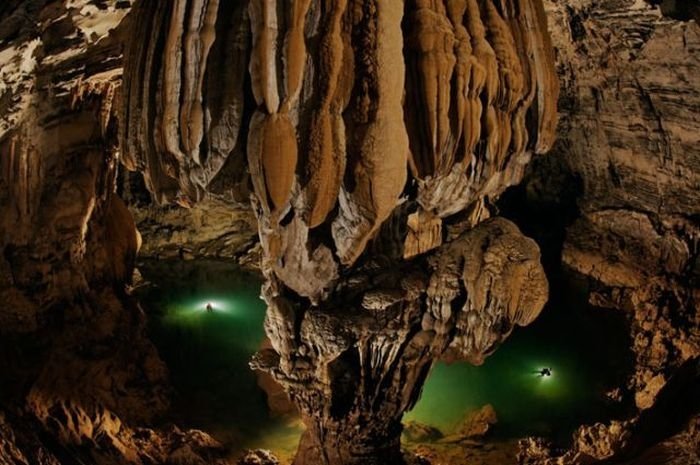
column 499, row 270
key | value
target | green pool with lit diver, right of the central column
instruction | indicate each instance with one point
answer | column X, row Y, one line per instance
column 587, row 350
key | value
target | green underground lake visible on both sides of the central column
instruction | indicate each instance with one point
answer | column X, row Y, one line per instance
column 207, row 352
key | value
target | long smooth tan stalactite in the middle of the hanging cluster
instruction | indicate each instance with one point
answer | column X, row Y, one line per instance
column 378, row 174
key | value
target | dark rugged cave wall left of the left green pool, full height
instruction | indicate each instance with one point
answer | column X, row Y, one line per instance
column 80, row 378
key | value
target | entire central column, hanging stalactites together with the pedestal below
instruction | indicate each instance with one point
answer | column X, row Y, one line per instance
column 375, row 126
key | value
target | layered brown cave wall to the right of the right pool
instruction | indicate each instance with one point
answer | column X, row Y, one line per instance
column 625, row 173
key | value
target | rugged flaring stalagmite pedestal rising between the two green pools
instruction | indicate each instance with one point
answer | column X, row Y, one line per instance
column 356, row 364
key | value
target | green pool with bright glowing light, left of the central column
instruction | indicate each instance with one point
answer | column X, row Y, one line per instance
column 207, row 353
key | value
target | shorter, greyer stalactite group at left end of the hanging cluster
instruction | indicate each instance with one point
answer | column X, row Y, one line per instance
column 178, row 137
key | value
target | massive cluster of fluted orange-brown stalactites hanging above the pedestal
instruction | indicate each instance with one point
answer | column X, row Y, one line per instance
column 463, row 91
